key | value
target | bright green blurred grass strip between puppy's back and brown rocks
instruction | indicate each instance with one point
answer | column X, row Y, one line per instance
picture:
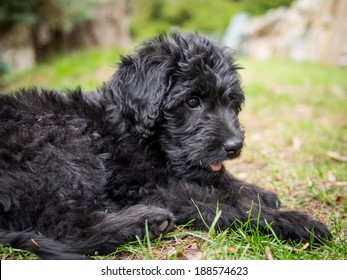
column 87, row 68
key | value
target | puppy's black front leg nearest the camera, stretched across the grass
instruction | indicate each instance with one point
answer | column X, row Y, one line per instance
column 200, row 203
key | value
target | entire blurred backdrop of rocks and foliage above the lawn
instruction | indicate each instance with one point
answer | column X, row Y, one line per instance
column 305, row 30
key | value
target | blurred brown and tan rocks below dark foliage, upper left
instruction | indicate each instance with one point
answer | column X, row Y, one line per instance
column 21, row 45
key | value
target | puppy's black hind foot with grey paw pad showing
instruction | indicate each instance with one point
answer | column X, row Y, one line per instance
column 103, row 232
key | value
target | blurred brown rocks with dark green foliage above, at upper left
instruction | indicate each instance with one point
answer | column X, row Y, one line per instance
column 31, row 30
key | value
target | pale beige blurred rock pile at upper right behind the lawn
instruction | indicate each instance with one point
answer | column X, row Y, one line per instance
column 309, row 30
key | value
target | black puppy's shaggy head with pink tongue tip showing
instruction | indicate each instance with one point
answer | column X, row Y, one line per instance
column 183, row 91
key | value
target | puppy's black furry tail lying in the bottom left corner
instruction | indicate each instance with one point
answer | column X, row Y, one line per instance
column 42, row 246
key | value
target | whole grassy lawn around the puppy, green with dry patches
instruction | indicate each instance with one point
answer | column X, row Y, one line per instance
column 296, row 144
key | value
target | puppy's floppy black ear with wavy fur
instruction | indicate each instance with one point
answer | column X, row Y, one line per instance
column 140, row 85
